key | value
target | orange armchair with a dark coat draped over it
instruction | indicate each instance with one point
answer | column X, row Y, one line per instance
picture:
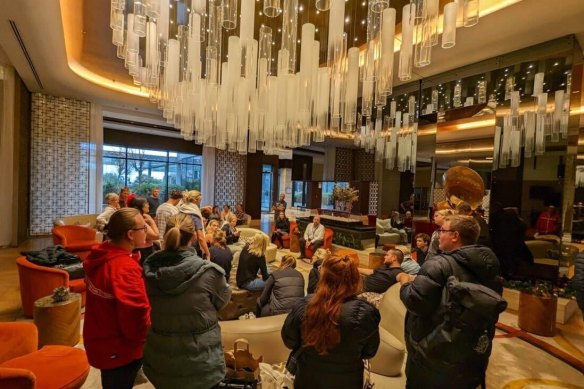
column 39, row 281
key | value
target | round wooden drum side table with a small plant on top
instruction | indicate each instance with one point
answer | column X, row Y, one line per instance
column 58, row 323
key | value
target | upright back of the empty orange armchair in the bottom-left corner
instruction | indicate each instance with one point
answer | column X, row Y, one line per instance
column 17, row 339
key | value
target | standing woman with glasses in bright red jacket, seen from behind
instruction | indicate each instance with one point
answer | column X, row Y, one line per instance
column 117, row 312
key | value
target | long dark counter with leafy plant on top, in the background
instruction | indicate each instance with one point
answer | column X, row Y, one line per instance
column 347, row 232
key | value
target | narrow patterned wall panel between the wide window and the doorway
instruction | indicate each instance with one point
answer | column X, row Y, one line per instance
column 230, row 171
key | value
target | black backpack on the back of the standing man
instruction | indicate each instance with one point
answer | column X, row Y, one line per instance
column 465, row 320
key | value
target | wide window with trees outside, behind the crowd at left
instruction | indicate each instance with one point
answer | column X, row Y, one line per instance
column 141, row 170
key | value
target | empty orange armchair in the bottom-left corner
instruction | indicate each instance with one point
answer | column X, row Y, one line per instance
column 22, row 366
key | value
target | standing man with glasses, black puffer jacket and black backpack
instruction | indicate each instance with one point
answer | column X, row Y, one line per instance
column 453, row 305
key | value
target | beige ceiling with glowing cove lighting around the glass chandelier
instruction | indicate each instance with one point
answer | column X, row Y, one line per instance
column 42, row 27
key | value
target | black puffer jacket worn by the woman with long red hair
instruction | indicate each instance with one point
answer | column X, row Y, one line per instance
column 342, row 367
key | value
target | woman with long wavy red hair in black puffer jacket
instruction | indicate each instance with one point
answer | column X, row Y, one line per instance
column 332, row 331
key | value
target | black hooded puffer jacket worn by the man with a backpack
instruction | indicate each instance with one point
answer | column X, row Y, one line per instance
column 422, row 299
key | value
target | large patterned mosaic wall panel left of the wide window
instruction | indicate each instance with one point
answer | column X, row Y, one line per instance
column 59, row 174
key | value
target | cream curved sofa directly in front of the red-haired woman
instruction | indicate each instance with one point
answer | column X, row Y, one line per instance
column 265, row 339
